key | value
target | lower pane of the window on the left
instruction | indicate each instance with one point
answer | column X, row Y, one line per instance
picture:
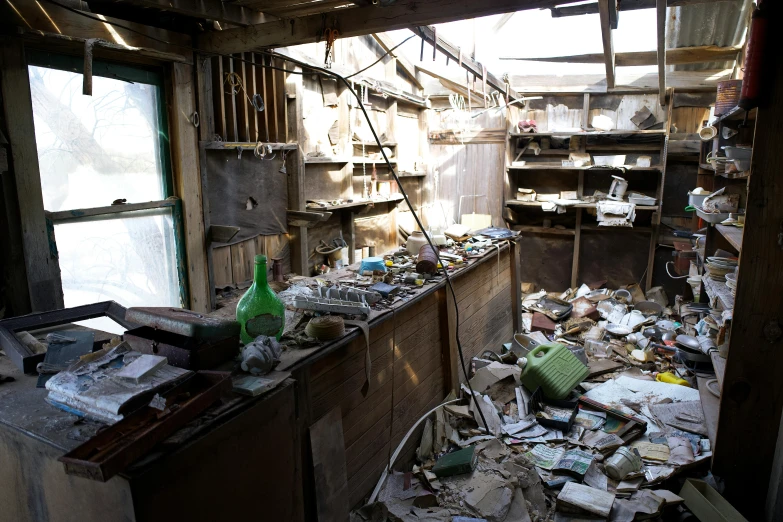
column 130, row 259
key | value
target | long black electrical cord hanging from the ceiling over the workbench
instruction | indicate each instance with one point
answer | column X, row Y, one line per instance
column 348, row 85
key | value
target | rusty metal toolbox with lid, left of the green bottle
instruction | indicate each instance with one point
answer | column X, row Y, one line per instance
column 188, row 339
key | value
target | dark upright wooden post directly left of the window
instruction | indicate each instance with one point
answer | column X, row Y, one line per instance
column 40, row 251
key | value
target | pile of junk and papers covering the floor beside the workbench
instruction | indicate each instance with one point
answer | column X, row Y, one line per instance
column 593, row 412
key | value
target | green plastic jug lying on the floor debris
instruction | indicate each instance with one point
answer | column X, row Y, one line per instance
column 554, row 368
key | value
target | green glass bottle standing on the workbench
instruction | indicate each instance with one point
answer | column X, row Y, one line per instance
column 260, row 311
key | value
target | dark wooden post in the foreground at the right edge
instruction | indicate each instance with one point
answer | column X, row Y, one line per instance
column 752, row 394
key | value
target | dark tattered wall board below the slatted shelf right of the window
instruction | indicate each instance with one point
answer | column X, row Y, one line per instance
column 232, row 182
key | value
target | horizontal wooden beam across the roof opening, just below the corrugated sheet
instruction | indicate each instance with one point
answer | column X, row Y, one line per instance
column 679, row 56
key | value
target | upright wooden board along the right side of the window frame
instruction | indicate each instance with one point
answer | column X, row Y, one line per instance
column 187, row 183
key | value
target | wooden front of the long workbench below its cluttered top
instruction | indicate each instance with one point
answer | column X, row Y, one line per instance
column 263, row 442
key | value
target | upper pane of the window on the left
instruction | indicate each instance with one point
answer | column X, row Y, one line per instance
column 95, row 149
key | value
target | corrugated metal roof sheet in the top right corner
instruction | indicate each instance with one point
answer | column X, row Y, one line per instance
column 722, row 24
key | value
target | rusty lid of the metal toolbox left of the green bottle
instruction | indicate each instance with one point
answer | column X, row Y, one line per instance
column 183, row 322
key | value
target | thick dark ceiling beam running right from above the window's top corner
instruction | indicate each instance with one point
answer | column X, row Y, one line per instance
column 357, row 22
